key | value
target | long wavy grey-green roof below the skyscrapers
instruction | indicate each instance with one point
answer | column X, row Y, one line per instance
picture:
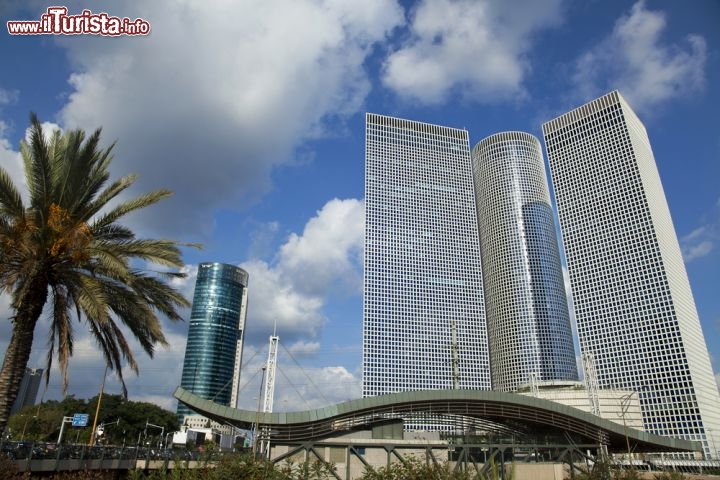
column 489, row 411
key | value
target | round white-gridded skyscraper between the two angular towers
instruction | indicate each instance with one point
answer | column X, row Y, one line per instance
column 526, row 306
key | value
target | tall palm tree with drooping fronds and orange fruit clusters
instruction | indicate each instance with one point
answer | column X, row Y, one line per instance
column 66, row 245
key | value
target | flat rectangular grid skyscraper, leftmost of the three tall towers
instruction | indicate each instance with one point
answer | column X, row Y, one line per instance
column 422, row 275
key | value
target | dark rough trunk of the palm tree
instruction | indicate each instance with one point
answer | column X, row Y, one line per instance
column 20, row 346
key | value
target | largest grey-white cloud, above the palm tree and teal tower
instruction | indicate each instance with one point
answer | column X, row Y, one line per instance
column 212, row 100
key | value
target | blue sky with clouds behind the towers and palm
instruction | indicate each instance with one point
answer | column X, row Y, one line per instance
column 252, row 112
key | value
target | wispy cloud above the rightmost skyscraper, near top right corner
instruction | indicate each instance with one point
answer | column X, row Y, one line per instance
column 635, row 60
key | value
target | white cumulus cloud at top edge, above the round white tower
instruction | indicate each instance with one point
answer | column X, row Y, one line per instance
column 476, row 48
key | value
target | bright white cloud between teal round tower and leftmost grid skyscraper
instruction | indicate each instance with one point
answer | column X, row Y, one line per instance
column 291, row 291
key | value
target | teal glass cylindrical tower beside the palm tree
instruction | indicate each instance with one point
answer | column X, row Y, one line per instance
column 213, row 353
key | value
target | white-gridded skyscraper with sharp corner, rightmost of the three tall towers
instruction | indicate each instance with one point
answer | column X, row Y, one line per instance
column 634, row 307
